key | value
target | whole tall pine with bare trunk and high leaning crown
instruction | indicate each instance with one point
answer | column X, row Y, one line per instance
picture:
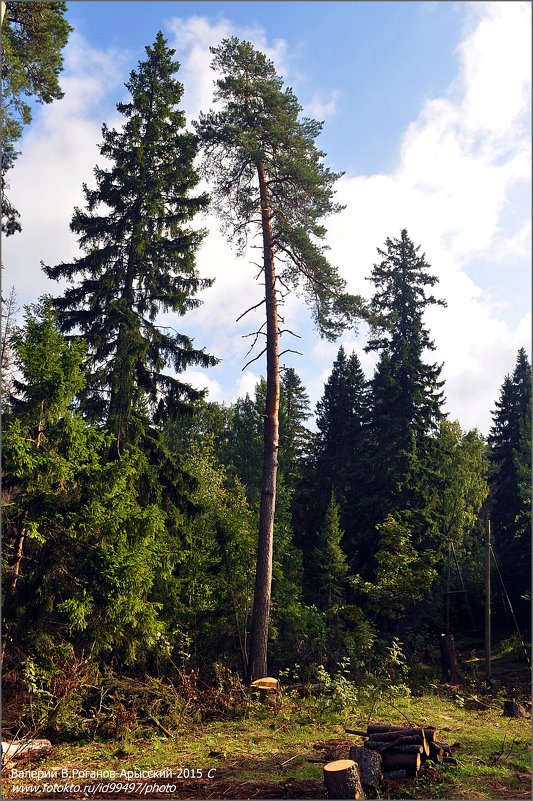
column 269, row 177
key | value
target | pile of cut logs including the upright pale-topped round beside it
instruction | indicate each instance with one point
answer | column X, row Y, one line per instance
column 388, row 752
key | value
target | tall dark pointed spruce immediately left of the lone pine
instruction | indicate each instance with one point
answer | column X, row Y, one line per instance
column 139, row 257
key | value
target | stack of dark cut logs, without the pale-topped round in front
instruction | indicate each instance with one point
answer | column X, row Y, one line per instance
column 398, row 752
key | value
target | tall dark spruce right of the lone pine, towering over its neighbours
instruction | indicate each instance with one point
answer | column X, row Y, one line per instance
column 407, row 397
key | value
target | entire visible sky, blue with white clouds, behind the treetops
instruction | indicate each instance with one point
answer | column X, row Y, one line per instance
column 426, row 109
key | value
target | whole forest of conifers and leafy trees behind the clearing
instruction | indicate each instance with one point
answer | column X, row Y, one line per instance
column 137, row 512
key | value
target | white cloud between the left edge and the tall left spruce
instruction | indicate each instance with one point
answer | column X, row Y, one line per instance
column 58, row 154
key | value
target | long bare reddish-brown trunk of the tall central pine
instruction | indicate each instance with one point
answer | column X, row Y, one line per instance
column 257, row 662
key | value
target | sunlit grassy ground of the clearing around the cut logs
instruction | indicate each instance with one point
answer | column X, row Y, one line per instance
column 282, row 748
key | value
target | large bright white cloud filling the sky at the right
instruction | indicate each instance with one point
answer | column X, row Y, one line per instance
column 459, row 163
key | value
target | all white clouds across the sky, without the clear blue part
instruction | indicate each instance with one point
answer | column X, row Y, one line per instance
column 461, row 165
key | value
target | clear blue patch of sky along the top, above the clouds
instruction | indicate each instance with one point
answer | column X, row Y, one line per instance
column 384, row 58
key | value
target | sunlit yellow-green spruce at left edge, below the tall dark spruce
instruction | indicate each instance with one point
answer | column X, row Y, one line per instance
column 81, row 554
